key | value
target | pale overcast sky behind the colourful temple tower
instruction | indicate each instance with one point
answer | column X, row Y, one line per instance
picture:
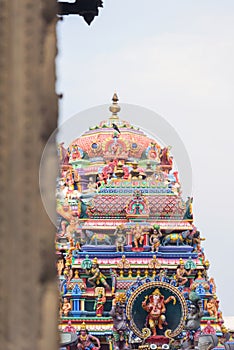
column 174, row 57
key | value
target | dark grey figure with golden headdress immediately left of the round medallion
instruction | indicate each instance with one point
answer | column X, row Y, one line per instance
column 120, row 327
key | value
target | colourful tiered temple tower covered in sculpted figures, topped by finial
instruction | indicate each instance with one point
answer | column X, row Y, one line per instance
column 131, row 267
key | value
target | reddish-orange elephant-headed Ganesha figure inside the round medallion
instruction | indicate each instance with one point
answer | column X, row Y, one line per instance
column 155, row 305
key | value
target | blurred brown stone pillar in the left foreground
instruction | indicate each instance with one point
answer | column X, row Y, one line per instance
column 28, row 115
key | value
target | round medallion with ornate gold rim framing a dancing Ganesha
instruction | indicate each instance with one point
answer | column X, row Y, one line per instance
column 158, row 306
